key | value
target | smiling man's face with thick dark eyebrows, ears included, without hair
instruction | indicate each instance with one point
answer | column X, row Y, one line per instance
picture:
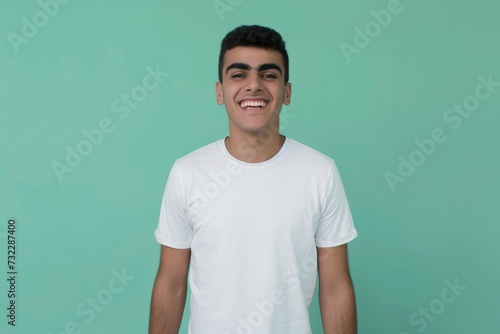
column 253, row 89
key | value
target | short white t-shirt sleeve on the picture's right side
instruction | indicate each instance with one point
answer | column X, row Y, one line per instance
column 335, row 226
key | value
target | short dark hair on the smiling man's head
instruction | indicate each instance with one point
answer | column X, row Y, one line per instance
column 257, row 36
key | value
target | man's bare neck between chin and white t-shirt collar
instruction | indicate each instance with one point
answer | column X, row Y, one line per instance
column 254, row 148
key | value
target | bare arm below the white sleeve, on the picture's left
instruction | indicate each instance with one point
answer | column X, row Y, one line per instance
column 169, row 291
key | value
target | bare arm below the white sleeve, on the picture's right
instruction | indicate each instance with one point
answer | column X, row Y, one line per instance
column 336, row 293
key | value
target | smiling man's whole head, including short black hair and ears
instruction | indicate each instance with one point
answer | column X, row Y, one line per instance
column 253, row 71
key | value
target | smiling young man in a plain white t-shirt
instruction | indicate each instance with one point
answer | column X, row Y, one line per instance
column 256, row 217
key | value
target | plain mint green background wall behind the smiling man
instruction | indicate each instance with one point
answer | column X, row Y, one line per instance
column 441, row 223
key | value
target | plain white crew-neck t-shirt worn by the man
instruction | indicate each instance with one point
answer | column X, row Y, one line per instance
column 253, row 229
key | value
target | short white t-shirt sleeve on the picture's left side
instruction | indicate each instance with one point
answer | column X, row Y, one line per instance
column 173, row 227
